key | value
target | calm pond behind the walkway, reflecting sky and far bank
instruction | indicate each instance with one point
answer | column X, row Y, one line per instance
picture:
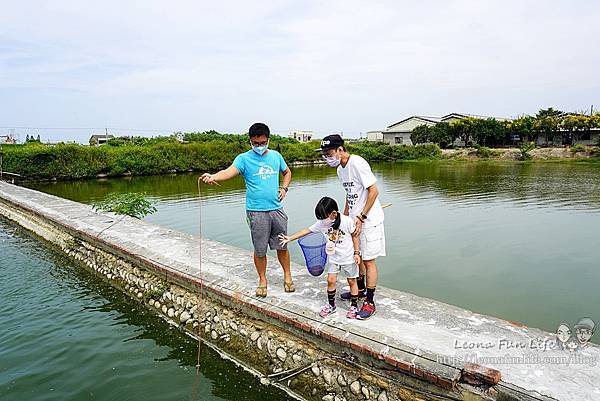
column 515, row 240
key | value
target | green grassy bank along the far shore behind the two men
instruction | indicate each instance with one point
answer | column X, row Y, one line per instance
column 200, row 153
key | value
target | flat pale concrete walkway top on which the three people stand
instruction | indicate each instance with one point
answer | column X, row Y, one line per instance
column 417, row 334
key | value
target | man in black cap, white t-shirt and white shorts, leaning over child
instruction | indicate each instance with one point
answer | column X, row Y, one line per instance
column 362, row 204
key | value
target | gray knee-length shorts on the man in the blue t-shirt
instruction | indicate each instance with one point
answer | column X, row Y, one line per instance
column 265, row 228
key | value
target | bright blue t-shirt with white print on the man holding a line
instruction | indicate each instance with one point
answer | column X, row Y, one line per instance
column 261, row 174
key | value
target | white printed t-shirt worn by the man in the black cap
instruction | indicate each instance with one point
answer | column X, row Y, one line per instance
column 356, row 177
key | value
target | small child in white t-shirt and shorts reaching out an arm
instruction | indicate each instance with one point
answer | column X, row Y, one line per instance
column 342, row 249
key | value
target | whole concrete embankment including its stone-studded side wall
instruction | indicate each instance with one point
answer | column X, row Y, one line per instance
column 413, row 348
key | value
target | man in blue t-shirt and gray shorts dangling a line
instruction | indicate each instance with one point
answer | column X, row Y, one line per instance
column 260, row 168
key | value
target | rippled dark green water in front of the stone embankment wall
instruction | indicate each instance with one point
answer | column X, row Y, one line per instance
column 65, row 335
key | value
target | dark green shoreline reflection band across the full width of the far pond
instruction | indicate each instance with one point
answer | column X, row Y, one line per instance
column 462, row 184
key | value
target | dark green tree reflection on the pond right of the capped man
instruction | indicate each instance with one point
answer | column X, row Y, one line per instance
column 522, row 184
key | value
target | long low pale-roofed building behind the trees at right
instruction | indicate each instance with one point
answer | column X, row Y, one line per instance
column 399, row 133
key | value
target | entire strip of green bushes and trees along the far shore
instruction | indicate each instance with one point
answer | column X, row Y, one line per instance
column 486, row 139
